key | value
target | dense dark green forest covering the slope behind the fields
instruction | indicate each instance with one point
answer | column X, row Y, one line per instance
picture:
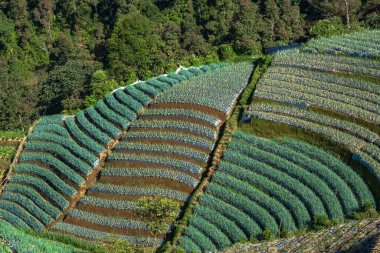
column 60, row 56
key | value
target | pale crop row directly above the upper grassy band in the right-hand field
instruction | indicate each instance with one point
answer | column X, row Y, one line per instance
column 290, row 96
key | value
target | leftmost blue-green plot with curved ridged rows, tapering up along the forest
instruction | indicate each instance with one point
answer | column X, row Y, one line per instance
column 62, row 152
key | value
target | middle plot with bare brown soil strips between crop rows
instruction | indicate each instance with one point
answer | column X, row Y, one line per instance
column 163, row 154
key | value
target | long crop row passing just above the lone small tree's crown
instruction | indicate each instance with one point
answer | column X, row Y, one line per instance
column 138, row 191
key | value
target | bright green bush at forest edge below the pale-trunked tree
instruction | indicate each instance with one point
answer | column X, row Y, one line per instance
column 328, row 27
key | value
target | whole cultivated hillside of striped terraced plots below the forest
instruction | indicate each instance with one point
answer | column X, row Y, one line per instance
column 251, row 151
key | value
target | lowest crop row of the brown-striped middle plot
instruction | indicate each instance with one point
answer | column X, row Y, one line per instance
column 102, row 236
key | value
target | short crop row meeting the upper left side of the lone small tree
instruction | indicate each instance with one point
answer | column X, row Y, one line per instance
column 108, row 203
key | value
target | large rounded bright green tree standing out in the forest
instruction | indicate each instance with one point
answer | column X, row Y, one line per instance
column 134, row 48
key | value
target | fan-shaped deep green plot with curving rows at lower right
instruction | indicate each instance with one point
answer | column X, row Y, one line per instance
column 261, row 184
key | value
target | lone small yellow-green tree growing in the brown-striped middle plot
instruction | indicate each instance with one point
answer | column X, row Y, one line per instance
column 157, row 213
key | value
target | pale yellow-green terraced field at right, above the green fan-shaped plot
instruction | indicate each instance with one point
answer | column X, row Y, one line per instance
column 322, row 95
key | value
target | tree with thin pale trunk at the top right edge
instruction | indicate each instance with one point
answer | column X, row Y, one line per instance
column 347, row 9
